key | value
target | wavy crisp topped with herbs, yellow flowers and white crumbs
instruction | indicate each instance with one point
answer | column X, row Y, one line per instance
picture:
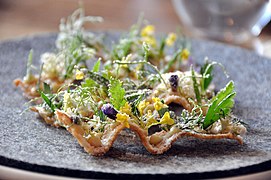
column 96, row 91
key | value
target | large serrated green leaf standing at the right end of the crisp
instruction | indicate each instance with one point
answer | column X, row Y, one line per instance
column 220, row 105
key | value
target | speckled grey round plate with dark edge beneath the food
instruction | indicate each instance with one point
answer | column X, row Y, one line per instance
column 26, row 142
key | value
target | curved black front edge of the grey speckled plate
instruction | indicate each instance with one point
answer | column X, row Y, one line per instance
column 75, row 173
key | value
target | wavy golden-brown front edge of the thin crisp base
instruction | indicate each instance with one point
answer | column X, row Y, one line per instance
column 157, row 143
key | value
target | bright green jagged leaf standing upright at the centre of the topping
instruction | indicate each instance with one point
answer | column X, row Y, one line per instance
column 117, row 93
